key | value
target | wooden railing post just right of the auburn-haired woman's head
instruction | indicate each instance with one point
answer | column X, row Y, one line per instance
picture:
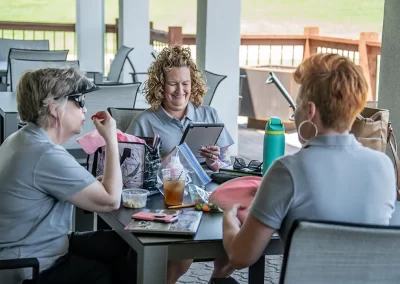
column 368, row 63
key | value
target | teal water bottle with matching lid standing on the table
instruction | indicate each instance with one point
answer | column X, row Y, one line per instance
column 274, row 141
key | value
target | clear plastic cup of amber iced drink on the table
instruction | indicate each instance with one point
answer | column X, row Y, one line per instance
column 174, row 186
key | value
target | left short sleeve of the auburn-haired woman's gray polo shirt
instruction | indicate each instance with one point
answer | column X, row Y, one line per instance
column 274, row 196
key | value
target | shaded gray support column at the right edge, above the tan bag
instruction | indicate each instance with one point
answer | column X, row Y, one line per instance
column 389, row 83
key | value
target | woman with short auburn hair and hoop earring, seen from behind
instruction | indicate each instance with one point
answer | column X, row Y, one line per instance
column 328, row 178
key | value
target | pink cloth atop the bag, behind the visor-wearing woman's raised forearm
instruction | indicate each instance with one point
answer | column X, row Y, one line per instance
column 93, row 140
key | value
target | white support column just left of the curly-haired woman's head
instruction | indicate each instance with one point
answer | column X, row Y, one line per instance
column 134, row 31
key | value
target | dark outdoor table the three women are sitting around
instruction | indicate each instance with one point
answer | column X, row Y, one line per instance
column 154, row 250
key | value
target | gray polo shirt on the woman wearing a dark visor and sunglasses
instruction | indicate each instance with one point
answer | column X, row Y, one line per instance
column 36, row 178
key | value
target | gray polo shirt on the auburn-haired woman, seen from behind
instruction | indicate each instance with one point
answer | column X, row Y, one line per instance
column 334, row 178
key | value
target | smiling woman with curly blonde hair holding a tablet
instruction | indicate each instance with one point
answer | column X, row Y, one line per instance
column 175, row 91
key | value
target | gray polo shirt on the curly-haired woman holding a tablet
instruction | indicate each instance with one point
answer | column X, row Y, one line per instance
column 171, row 129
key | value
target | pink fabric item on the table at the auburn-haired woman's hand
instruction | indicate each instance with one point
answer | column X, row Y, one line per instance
column 239, row 190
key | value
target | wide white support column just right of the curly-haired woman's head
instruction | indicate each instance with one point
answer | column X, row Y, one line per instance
column 217, row 49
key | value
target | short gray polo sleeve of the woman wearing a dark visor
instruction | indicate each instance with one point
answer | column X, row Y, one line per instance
column 58, row 174
